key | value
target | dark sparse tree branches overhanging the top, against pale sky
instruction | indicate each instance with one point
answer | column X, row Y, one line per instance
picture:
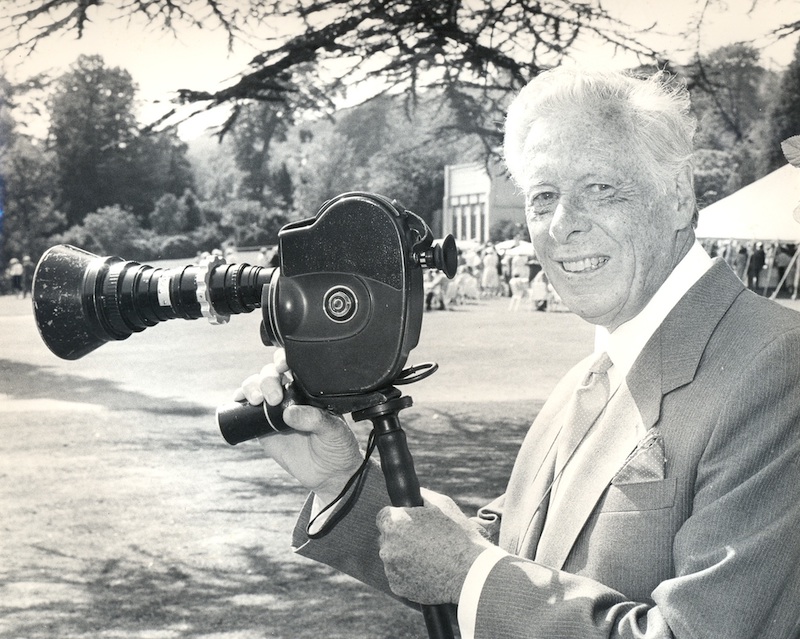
column 474, row 52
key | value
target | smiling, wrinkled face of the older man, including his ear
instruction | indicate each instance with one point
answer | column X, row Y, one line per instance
column 606, row 234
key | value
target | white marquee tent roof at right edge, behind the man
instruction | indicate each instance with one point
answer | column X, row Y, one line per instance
column 763, row 210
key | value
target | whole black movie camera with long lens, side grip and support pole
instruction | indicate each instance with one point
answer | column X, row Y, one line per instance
column 346, row 304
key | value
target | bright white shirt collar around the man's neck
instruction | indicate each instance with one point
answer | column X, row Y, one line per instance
column 626, row 343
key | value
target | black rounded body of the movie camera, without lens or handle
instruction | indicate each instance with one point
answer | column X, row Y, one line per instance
column 348, row 303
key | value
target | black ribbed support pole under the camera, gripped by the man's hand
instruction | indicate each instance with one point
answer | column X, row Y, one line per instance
column 402, row 485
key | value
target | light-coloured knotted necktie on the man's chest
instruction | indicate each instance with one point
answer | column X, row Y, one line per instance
column 586, row 404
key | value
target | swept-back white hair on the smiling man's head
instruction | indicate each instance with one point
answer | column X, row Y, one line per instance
column 656, row 109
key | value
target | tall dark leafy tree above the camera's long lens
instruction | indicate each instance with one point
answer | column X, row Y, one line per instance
column 102, row 157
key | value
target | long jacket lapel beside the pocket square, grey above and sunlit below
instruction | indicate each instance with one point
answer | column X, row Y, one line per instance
column 668, row 361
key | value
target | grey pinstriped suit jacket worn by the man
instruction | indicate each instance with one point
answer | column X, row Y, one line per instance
column 688, row 522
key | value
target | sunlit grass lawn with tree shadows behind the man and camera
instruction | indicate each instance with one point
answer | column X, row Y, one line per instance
column 125, row 514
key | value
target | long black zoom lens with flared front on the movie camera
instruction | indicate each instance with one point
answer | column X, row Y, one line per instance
column 82, row 300
